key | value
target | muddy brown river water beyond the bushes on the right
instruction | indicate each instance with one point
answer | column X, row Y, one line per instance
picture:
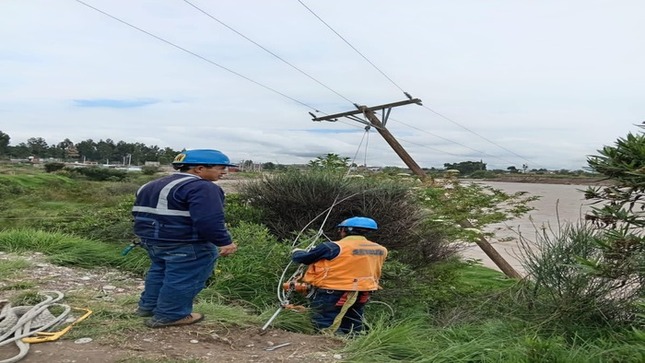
column 558, row 202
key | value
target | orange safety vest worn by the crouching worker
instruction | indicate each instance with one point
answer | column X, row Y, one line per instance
column 356, row 268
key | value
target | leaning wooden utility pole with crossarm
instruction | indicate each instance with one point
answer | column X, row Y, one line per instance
column 373, row 121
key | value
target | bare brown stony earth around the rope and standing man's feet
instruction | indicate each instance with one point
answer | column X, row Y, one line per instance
column 207, row 341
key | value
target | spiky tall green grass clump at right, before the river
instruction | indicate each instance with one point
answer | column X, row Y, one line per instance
column 564, row 291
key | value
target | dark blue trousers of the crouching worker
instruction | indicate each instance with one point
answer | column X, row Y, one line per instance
column 326, row 305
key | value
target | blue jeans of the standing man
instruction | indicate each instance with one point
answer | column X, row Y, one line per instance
column 177, row 274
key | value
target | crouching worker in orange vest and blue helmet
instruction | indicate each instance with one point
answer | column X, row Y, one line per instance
column 343, row 274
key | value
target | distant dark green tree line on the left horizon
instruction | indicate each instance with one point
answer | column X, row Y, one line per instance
column 88, row 150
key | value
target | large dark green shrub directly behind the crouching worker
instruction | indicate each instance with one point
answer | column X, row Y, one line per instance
column 293, row 201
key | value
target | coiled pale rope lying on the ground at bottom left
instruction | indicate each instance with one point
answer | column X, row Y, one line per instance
column 22, row 321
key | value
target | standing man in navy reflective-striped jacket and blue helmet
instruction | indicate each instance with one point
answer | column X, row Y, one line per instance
column 180, row 222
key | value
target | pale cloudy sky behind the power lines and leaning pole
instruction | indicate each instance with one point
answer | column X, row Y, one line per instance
column 543, row 83
